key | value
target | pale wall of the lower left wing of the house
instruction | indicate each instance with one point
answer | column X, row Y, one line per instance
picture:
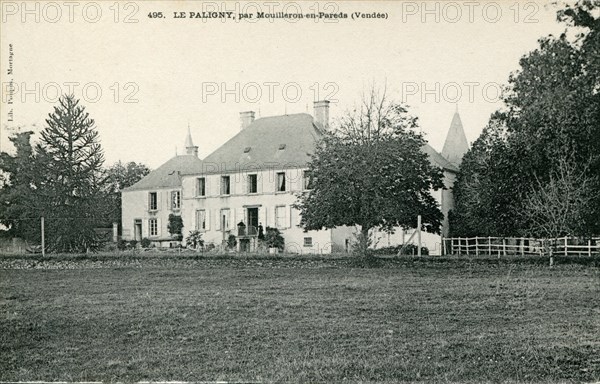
column 136, row 206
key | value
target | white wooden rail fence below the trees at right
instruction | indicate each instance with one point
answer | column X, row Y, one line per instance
column 505, row 246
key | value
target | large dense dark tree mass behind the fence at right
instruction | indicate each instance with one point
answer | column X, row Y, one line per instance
column 551, row 115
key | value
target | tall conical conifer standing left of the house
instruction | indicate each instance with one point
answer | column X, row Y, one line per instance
column 69, row 178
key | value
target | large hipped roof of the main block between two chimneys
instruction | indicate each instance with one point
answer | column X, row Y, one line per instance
column 272, row 142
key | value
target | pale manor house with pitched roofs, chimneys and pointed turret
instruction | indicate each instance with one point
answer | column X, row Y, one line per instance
column 253, row 179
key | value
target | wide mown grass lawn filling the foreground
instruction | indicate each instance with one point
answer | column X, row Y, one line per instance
column 317, row 320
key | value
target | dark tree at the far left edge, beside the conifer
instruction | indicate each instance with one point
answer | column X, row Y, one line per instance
column 17, row 182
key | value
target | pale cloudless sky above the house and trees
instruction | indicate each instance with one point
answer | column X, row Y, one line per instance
column 145, row 75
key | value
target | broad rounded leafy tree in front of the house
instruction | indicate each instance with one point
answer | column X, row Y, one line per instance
column 372, row 172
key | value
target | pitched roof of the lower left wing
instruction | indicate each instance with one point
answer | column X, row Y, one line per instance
column 166, row 176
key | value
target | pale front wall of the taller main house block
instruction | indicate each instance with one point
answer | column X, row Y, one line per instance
column 266, row 199
